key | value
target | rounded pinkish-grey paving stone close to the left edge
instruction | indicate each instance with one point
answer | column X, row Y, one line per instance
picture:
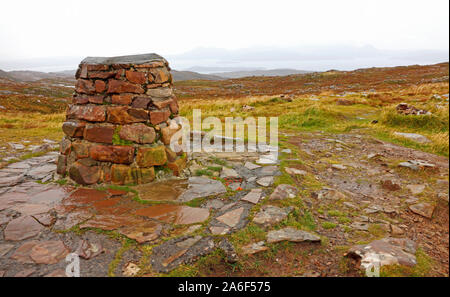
column 22, row 228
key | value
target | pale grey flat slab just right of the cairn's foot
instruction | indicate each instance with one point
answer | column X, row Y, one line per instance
column 202, row 187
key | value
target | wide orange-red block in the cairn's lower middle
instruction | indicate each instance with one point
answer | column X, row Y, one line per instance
column 114, row 153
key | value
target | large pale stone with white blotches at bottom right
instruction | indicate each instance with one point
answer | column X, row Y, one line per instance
column 386, row 251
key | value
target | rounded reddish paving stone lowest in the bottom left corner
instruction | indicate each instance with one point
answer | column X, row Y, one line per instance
column 49, row 252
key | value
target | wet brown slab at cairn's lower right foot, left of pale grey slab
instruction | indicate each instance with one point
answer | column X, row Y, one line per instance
column 168, row 190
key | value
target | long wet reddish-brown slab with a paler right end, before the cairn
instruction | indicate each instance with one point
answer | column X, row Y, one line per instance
column 176, row 214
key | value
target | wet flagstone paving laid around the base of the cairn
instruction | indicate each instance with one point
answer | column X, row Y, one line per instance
column 42, row 221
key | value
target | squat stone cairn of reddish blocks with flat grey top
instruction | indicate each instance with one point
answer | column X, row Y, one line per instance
column 119, row 125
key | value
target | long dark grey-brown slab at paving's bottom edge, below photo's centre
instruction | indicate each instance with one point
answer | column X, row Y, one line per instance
column 175, row 252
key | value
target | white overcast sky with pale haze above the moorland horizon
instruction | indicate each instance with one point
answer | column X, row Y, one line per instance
column 65, row 31
